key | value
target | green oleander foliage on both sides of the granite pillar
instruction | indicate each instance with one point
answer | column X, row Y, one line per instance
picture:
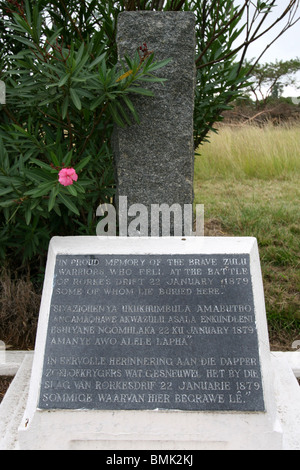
column 65, row 93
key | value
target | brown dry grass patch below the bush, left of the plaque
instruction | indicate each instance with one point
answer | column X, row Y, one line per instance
column 19, row 307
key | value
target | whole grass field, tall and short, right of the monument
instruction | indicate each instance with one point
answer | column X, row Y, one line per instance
column 248, row 178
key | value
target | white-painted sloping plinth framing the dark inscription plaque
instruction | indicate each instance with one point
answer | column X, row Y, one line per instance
column 96, row 429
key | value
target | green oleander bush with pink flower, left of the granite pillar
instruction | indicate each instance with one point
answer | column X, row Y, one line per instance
column 64, row 94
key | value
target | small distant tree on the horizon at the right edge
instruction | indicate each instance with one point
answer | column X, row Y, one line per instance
column 270, row 79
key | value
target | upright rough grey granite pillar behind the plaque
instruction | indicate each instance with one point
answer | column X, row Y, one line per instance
column 155, row 160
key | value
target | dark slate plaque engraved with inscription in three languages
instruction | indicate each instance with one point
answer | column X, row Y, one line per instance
column 145, row 332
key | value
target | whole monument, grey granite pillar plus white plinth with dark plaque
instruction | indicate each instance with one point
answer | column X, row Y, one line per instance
column 153, row 342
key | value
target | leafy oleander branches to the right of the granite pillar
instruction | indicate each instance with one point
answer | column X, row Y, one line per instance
column 226, row 32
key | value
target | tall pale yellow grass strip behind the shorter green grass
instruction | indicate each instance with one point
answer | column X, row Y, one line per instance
column 251, row 152
